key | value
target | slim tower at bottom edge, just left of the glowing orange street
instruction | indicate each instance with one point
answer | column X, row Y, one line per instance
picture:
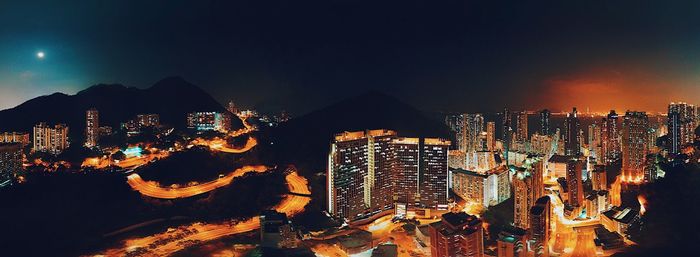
column 540, row 216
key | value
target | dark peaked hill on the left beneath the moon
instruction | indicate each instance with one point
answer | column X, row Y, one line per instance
column 171, row 98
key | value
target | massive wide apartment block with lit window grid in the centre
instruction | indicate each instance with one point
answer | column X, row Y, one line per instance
column 370, row 170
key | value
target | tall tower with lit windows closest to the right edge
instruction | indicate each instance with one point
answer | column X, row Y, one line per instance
column 682, row 122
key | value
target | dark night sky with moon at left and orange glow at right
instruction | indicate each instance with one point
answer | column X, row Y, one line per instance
column 300, row 55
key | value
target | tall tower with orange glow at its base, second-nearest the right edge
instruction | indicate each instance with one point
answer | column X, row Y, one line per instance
column 635, row 127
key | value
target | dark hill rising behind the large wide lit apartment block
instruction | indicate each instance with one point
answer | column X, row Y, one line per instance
column 305, row 140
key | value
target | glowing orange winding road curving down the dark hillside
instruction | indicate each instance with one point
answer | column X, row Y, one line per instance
column 179, row 238
